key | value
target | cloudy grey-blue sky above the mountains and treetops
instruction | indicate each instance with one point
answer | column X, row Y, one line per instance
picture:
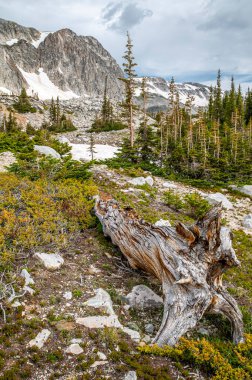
column 187, row 39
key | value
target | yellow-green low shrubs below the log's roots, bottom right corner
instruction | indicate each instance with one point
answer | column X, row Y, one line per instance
column 223, row 361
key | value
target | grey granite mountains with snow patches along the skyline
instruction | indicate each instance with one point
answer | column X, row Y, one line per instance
column 63, row 64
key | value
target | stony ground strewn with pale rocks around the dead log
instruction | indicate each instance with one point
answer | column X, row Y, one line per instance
column 81, row 316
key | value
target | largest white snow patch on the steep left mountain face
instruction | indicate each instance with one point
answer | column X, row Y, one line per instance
column 41, row 85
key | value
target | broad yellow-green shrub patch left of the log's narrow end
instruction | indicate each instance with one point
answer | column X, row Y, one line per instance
column 41, row 213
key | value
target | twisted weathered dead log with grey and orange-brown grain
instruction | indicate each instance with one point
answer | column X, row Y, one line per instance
column 188, row 261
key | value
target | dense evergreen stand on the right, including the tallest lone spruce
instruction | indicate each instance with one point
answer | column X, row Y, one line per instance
column 214, row 143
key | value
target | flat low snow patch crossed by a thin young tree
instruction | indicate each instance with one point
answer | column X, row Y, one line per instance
column 81, row 151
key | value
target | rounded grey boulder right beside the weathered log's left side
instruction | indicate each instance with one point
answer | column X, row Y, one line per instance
column 142, row 297
